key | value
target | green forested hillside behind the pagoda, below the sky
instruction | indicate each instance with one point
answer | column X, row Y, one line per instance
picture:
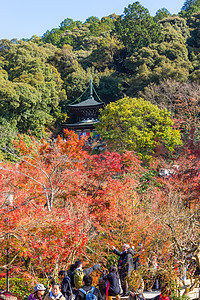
column 135, row 54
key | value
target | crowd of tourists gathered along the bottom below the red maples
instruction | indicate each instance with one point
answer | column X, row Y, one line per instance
column 121, row 281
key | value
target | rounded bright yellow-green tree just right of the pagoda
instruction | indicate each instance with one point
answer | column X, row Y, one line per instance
column 137, row 125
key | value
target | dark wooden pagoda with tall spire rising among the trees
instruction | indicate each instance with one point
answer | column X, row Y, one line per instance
column 87, row 112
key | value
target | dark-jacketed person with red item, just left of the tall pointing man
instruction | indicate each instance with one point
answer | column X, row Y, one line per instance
column 113, row 287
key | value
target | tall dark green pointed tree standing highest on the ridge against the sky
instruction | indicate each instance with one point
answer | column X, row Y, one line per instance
column 136, row 28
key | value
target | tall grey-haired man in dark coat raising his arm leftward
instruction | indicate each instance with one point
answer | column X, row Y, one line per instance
column 125, row 265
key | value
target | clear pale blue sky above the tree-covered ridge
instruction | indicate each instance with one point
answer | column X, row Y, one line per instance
column 25, row 18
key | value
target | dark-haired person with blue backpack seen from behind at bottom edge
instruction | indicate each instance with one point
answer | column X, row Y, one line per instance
column 87, row 288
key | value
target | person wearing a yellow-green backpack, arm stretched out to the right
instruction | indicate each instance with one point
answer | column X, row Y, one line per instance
column 79, row 273
